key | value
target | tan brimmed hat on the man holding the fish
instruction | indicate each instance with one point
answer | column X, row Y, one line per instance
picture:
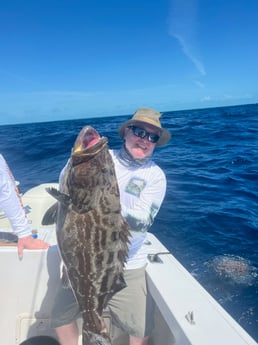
column 150, row 117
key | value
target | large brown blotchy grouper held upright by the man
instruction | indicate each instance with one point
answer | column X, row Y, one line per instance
column 92, row 235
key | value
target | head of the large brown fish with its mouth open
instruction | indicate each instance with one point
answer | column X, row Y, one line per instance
column 90, row 169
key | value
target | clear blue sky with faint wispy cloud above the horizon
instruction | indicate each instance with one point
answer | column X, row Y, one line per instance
column 64, row 59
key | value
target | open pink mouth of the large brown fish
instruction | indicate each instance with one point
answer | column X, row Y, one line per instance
column 88, row 138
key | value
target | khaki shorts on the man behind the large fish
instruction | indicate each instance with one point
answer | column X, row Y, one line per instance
column 131, row 309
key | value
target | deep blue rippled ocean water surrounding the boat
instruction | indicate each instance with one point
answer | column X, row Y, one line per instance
column 209, row 218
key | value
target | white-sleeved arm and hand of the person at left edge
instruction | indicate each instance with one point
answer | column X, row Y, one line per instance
column 11, row 204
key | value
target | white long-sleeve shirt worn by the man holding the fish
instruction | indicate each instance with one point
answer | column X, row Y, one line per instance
column 142, row 190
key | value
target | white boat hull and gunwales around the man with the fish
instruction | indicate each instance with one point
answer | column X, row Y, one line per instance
column 186, row 314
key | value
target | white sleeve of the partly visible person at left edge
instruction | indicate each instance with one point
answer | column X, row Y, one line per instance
column 10, row 202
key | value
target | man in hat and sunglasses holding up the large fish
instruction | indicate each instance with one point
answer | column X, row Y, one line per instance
column 142, row 186
